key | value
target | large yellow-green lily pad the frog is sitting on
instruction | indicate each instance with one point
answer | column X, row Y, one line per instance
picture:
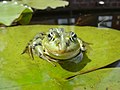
column 21, row 72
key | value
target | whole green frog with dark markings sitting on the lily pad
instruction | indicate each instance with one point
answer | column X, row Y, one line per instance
column 56, row 45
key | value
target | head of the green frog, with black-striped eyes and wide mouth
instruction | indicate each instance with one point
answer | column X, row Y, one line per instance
column 62, row 45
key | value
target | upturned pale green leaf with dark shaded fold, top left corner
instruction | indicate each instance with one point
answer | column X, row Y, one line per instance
column 13, row 12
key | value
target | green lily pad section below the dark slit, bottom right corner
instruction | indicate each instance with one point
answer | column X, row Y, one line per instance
column 104, row 79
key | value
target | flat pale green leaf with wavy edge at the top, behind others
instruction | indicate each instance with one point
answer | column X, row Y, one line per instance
column 43, row 4
